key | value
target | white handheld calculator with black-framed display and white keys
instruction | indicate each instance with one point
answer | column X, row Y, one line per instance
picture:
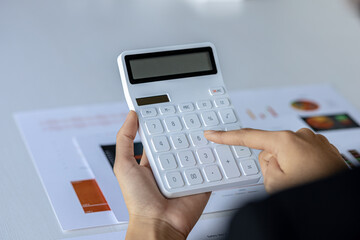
column 178, row 92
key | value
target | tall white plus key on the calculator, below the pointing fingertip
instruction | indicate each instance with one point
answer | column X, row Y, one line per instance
column 227, row 161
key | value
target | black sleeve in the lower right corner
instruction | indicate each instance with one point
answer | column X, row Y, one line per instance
column 327, row 209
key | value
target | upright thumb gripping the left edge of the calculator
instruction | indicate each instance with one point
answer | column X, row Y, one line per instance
column 125, row 142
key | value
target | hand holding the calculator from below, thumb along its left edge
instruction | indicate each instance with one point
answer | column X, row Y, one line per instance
column 152, row 216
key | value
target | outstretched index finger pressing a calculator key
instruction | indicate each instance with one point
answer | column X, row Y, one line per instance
column 253, row 138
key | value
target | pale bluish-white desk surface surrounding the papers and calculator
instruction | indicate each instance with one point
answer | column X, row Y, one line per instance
column 63, row 53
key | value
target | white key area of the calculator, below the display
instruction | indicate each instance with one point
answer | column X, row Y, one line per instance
column 185, row 156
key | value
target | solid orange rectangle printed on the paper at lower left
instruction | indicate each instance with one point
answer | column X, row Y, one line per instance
column 90, row 196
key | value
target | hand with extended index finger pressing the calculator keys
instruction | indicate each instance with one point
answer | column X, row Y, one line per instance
column 288, row 158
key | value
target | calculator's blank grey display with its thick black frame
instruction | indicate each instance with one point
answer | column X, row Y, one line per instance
column 159, row 66
